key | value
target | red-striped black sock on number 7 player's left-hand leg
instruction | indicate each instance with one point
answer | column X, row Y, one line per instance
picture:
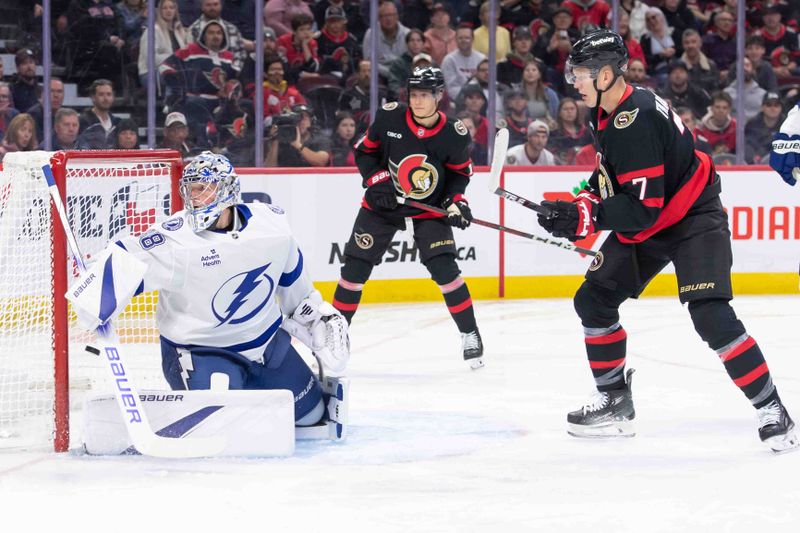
column 606, row 350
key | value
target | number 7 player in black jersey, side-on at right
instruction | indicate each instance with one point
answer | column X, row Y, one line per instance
column 660, row 199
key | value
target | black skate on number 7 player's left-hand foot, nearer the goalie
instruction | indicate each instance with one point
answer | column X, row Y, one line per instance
column 606, row 414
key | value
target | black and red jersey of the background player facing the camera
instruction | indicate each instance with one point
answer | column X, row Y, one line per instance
column 426, row 164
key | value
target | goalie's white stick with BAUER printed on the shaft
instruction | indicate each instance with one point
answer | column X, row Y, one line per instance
column 139, row 429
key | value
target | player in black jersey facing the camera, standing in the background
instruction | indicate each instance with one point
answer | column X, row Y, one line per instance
column 419, row 153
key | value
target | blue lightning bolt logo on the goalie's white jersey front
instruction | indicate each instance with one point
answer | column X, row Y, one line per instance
column 242, row 297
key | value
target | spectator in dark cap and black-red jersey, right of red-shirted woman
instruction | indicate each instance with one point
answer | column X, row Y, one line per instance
column 339, row 51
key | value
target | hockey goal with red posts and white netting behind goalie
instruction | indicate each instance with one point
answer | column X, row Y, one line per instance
column 44, row 368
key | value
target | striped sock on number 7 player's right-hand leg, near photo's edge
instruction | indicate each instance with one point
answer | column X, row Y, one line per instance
column 746, row 366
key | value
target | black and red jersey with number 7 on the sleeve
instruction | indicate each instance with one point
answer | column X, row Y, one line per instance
column 648, row 173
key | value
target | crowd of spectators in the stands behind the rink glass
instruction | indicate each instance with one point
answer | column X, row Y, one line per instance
column 318, row 60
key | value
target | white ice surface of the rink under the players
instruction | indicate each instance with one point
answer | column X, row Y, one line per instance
column 436, row 447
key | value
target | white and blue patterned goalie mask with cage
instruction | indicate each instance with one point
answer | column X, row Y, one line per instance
column 209, row 177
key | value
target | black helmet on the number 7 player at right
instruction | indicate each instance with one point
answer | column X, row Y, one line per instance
column 596, row 50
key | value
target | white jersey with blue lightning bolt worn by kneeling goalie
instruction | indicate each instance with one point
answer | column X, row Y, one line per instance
column 225, row 289
